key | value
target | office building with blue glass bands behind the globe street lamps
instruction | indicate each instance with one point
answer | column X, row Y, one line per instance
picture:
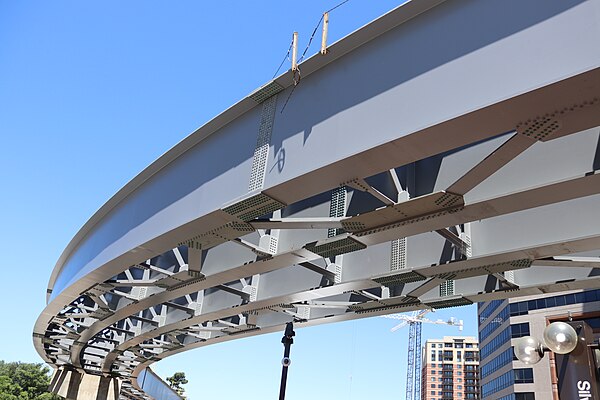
column 503, row 377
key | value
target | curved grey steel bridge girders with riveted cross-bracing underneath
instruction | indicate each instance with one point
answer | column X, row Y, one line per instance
column 440, row 156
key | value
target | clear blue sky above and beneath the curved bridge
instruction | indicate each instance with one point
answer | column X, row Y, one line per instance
column 91, row 92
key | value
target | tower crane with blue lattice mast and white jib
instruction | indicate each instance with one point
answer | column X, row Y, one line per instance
column 414, row 321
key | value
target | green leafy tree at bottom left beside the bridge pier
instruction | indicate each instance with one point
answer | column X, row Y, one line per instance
column 24, row 381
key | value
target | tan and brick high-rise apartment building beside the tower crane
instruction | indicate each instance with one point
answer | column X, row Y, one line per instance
column 450, row 369
